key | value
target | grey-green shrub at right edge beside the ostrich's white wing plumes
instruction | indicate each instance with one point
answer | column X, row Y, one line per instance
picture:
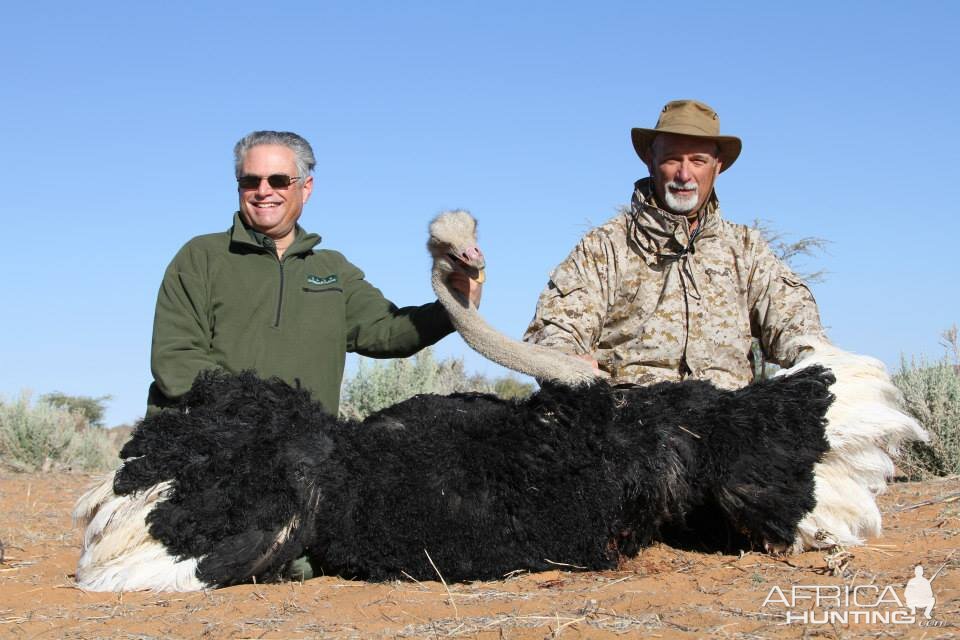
column 932, row 395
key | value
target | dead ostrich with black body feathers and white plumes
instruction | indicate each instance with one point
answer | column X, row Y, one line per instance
column 249, row 474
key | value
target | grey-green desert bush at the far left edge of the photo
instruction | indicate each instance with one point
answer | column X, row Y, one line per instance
column 43, row 436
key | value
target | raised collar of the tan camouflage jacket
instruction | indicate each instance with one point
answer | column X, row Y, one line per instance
column 658, row 233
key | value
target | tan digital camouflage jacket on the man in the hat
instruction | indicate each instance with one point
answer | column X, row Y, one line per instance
column 652, row 304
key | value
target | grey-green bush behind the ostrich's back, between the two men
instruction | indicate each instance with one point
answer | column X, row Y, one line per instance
column 381, row 384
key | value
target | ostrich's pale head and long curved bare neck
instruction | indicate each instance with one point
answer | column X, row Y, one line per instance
column 453, row 245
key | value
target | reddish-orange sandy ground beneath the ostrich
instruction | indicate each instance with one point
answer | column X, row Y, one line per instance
column 663, row 593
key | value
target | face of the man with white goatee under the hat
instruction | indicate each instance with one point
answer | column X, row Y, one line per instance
column 683, row 171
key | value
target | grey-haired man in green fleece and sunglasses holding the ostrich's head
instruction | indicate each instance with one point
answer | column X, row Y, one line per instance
column 261, row 296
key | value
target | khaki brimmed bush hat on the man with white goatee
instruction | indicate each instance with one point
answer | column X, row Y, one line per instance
column 689, row 118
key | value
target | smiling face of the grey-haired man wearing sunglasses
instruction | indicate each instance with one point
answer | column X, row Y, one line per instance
column 273, row 211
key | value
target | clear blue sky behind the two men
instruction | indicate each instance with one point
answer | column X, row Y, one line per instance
column 119, row 119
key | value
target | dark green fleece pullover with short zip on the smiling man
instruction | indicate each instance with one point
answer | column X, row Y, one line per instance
column 226, row 301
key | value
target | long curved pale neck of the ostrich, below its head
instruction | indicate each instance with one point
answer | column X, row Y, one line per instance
column 534, row 360
